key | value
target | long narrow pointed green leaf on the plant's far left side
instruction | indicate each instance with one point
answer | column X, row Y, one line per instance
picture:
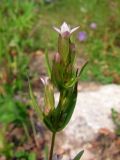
column 34, row 103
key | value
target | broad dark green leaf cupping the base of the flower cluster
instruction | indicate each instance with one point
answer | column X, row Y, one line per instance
column 58, row 118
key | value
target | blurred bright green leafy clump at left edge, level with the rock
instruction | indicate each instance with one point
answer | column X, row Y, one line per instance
column 13, row 110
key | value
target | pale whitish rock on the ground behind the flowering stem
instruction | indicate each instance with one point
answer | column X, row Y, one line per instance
column 92, row 112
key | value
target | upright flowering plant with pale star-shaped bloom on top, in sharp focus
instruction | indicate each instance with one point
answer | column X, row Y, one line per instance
column 64, row 77
